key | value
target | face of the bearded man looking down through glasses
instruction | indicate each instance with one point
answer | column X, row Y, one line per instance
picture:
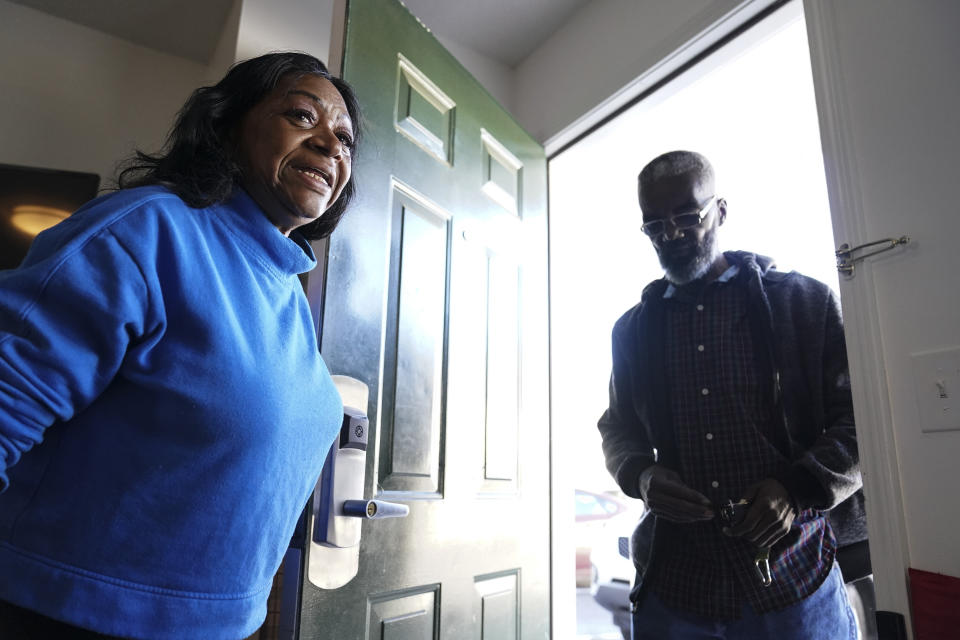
column 685, row 254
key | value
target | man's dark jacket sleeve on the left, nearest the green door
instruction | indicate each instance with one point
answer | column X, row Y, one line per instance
column 626, row 446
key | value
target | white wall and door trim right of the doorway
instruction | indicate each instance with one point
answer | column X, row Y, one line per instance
column 887, row 90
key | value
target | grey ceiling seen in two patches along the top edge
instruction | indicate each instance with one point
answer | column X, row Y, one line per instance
column 503, row 30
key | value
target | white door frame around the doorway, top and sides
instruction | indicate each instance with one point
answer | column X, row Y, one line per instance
column 871, row 396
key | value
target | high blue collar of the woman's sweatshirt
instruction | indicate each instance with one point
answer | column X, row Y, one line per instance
column 285, row 256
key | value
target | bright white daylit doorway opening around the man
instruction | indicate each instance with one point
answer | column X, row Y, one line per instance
column 750, row 108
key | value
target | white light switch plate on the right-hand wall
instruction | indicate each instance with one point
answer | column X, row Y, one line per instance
column 936, row 375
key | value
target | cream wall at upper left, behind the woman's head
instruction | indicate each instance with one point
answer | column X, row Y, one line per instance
column 77, row 99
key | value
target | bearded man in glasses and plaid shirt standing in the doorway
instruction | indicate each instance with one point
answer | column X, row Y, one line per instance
column 730, row 385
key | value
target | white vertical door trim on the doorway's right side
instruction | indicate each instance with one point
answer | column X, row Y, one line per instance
column 886, row 522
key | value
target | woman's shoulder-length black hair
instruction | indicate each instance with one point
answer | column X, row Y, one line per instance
column 197, row 161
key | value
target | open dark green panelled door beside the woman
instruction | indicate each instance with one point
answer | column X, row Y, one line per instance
column 436, row 298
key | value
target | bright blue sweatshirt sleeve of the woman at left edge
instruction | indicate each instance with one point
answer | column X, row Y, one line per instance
column 67, row 318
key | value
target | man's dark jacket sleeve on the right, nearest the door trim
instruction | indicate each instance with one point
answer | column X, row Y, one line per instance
column 828, row 472
